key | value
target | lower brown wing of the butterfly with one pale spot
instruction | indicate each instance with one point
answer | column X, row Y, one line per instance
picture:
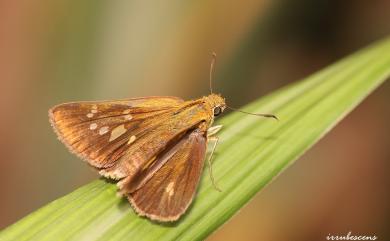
column 168, row 193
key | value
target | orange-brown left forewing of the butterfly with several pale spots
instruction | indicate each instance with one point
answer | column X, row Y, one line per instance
column 101, row 132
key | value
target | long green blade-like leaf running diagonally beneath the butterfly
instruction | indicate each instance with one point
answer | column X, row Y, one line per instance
column 251, row 153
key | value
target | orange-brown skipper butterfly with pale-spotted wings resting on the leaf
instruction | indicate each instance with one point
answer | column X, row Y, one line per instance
column 154, row 146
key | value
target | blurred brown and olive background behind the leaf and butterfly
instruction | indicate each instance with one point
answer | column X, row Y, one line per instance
column 60, row 51
